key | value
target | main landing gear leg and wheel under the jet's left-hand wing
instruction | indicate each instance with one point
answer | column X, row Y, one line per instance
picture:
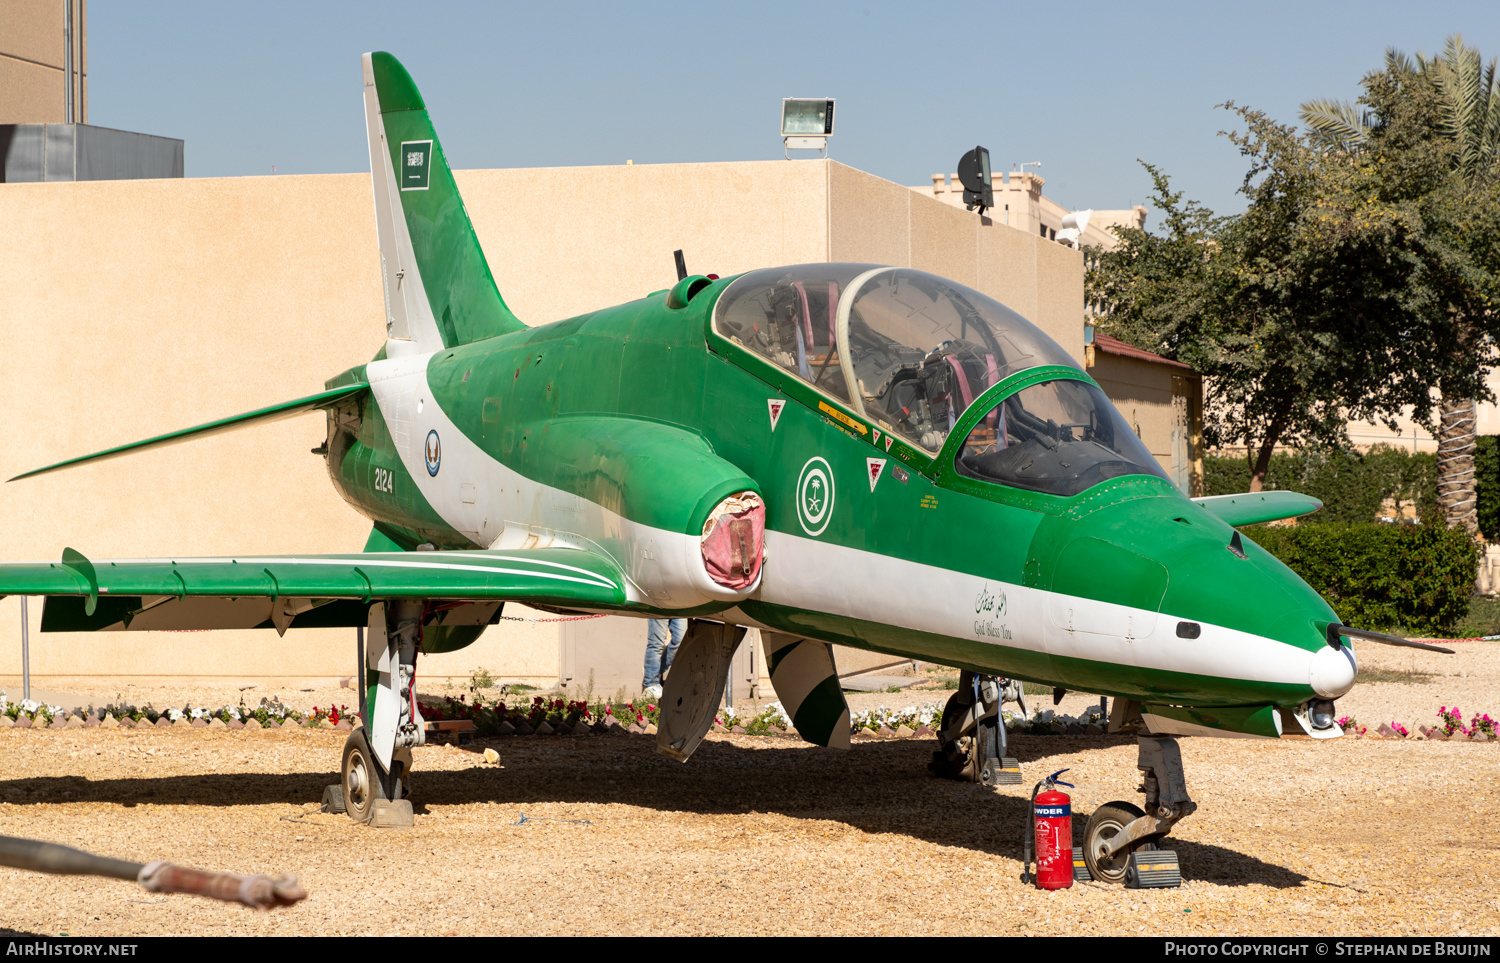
column 376, row 782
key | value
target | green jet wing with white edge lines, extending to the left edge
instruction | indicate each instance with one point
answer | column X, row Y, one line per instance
column 284, row 592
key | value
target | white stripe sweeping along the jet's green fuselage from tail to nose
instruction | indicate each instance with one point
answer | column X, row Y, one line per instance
column 806, row 574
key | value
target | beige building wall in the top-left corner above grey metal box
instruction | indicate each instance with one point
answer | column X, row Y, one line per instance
column 32, row 86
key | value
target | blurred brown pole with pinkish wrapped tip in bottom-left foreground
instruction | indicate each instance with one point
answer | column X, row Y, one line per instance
column 259, row 892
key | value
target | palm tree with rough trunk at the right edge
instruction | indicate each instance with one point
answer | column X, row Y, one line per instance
column 1426, row 142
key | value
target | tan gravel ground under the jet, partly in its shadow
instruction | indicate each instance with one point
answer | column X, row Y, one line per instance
column 763, row 835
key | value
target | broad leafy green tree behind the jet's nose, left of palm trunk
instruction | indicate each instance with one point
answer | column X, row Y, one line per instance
column 1295, row 311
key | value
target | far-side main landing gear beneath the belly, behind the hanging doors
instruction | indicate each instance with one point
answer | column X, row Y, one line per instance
column 973, row 734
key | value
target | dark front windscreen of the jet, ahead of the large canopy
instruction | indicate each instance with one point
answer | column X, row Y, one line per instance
column 1057, row 437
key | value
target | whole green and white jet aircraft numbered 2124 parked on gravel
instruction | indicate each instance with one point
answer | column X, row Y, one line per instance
column 832, row 454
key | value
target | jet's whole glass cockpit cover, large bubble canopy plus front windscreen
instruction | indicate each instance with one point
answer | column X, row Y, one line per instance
column 911, row 352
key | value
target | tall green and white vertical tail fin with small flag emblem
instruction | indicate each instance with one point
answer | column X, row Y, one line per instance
column 439, row 289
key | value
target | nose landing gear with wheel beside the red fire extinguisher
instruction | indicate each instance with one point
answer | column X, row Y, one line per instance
column 1118, row 830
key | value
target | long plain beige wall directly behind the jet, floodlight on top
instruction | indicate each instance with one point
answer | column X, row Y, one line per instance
column 134, row 308
